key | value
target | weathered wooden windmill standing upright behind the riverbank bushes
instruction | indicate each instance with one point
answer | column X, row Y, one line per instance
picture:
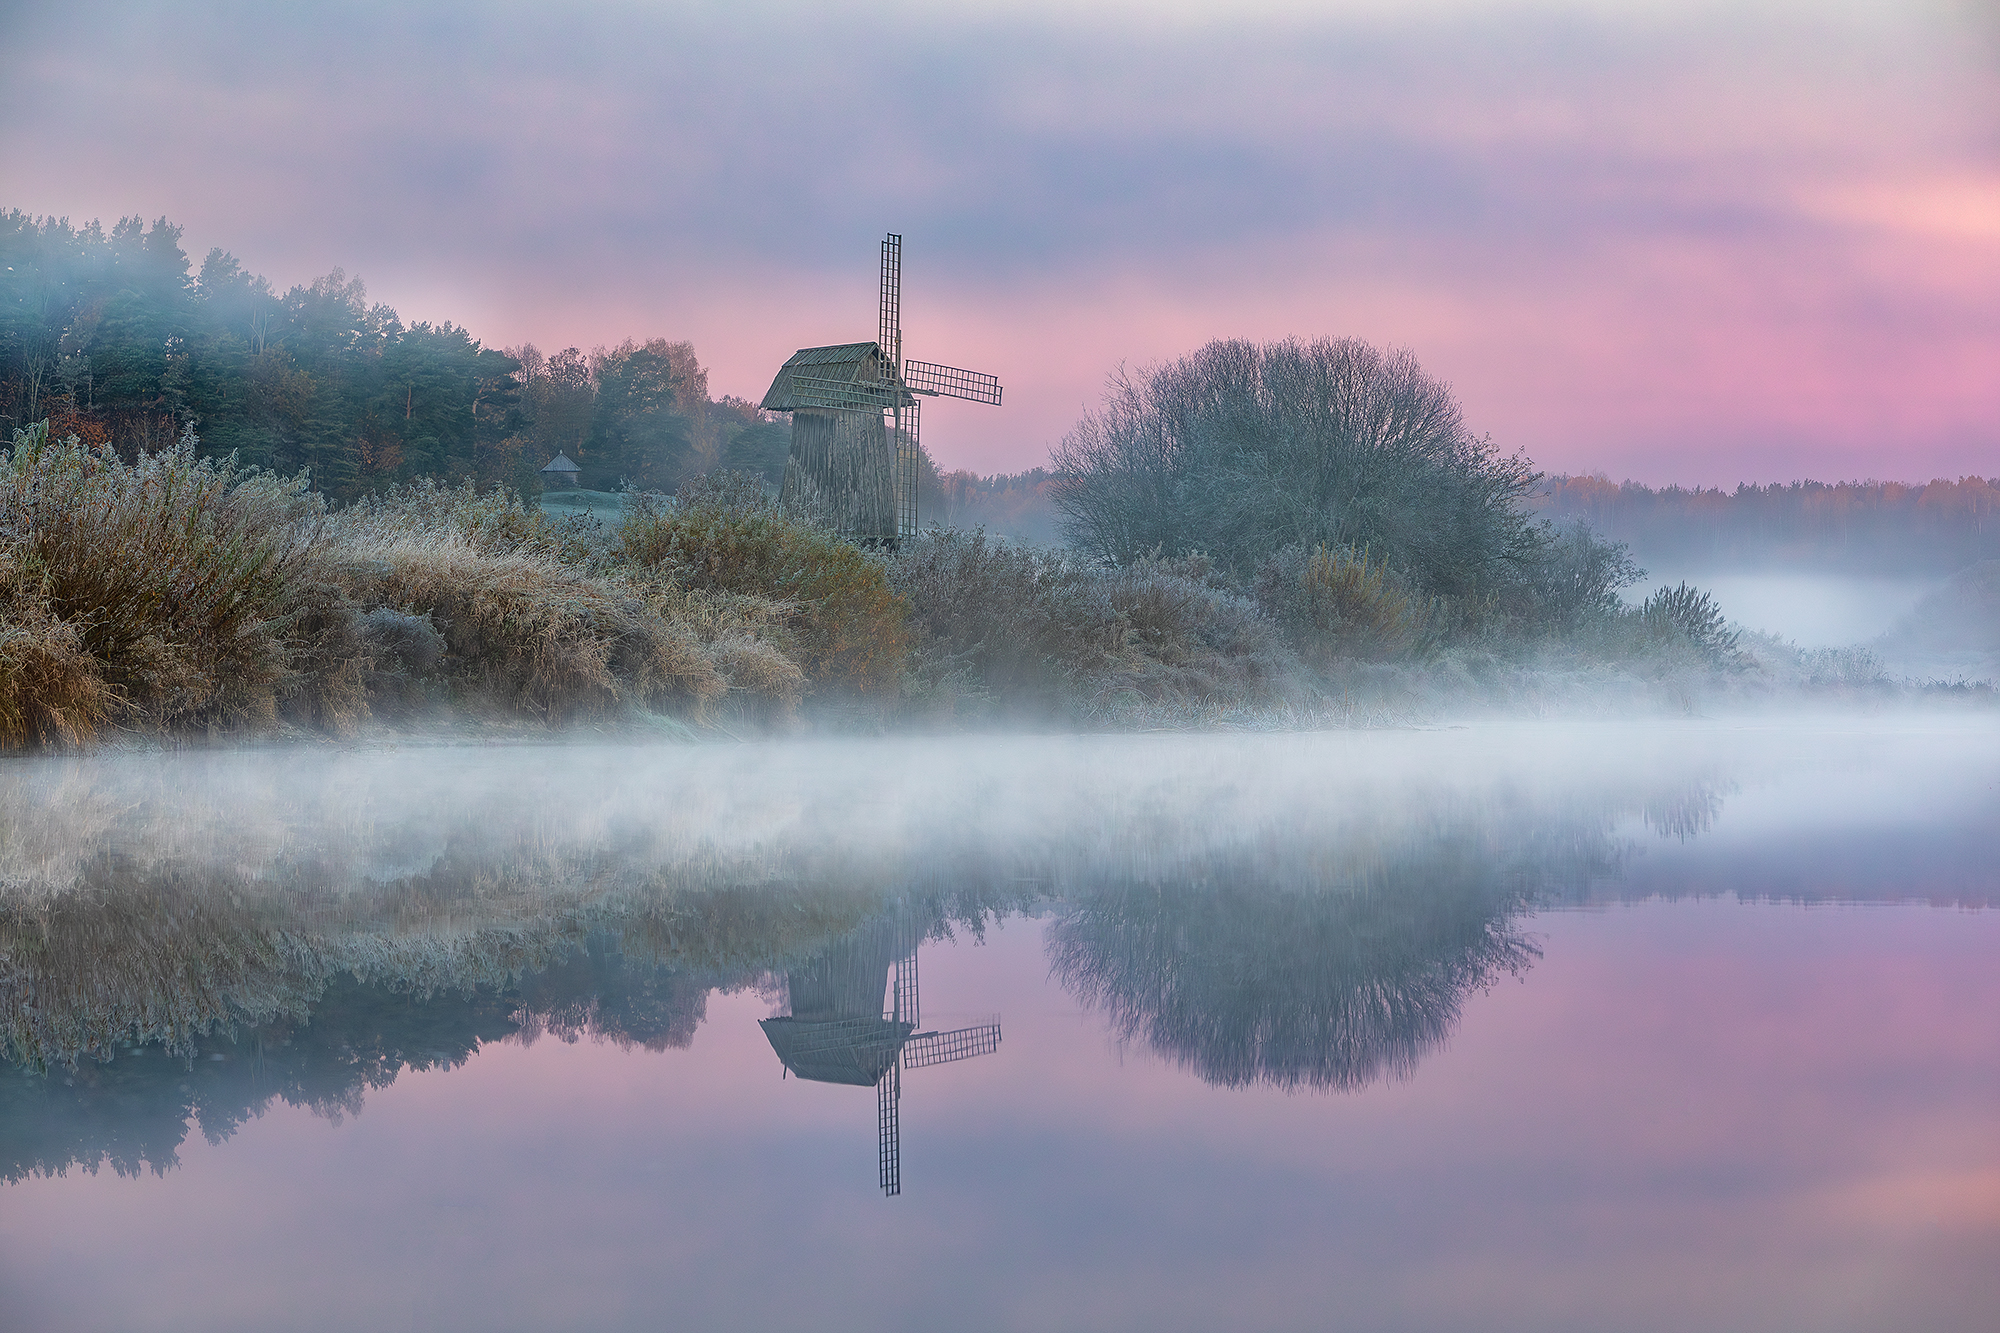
column 857, row 421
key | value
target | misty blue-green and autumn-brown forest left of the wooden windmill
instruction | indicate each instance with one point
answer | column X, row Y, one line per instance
column 117, row 339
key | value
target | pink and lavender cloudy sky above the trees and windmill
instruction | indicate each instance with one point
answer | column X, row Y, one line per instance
column 1671, row 243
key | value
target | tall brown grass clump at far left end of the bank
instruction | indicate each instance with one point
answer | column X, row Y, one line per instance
column 159, row 593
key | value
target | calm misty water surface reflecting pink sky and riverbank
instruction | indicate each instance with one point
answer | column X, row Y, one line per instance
column 1681, row 1026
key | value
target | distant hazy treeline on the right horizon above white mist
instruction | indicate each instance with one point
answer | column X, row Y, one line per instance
column 1889, row 527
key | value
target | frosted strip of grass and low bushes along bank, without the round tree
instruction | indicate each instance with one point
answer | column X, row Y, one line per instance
column 177, row 595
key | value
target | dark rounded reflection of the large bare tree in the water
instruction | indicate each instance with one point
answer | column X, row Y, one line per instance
column 1247, row 984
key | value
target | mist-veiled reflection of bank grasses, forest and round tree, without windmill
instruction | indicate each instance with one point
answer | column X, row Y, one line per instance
column 197, row 938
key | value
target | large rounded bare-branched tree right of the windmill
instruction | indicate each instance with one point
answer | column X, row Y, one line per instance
column 1245, row 449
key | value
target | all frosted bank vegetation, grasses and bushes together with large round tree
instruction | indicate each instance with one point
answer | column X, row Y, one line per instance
column 1259, row 535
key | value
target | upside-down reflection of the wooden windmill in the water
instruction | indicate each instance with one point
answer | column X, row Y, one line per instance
column 839, row 1030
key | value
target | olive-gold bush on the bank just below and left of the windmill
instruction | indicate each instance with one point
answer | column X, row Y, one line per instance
column 723, row 535
